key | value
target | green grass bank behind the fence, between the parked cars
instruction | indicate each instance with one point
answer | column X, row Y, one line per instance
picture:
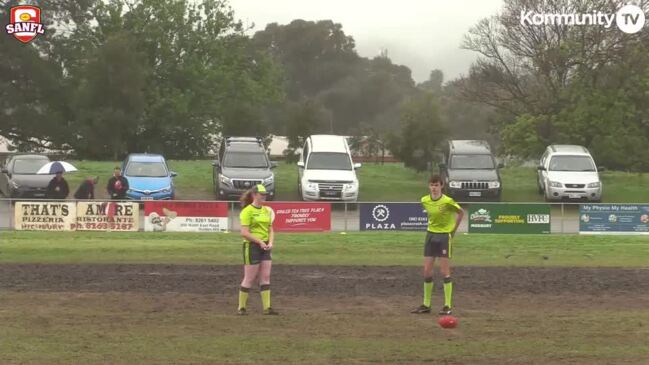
column 389, row 182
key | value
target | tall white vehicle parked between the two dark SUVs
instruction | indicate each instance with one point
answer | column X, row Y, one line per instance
column 326, row 170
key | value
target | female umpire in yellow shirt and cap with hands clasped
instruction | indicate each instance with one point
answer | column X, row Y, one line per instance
column 257, row 232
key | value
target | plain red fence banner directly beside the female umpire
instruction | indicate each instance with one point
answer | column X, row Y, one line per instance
column 301, row 217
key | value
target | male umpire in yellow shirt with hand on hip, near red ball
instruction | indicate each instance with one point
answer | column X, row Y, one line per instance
column 444, row 217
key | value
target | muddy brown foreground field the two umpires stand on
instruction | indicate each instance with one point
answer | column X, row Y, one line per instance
column 185, row 314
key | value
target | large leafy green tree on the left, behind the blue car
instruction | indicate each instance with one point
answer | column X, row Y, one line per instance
column 145, row 75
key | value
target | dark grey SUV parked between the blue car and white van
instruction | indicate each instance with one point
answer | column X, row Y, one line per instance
column 241, row 164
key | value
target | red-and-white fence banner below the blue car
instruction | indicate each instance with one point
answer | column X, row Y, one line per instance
column 173, row 216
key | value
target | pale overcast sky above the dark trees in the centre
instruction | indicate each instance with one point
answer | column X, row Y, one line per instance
column 421, row 34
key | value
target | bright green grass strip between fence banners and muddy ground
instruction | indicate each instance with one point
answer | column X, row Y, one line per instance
column 322, row 249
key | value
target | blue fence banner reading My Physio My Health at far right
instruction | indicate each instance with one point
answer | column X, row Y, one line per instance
column 614, row 218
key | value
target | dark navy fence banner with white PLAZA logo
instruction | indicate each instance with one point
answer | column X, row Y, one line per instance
column 392, row 217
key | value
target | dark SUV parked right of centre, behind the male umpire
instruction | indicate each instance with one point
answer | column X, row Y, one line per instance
column 470, row 171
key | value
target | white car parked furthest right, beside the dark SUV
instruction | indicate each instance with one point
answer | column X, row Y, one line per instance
column 569, row 172
